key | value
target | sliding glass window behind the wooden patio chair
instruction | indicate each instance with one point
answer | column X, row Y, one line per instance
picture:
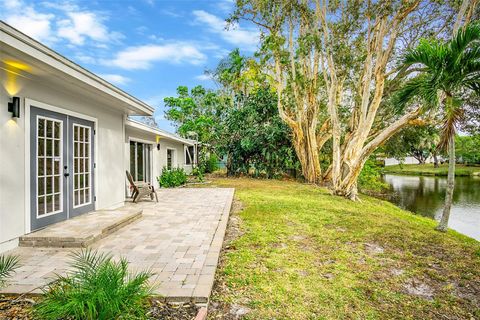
column 140, row 161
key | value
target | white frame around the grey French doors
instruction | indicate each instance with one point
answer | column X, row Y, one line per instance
column 28, row 103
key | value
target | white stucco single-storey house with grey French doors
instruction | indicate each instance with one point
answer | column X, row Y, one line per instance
column 66, row 139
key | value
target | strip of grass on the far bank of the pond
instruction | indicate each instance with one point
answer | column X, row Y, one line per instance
column 428, row 169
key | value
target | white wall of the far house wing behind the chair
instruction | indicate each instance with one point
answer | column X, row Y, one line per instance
column 159, row 157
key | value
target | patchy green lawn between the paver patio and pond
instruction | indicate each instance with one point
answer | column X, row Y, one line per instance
column 296, row 252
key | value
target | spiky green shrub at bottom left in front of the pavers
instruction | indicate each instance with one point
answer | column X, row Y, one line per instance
column 97, row 288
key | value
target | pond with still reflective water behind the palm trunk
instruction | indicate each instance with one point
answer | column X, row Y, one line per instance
column 425, row 195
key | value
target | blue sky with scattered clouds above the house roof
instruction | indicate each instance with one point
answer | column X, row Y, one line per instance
column 146, row 47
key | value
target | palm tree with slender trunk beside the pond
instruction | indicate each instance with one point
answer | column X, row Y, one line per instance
column 448, row 70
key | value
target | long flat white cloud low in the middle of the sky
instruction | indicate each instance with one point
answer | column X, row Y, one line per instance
column 142, row 57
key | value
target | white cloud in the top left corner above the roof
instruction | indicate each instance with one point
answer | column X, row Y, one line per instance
column 26, row 19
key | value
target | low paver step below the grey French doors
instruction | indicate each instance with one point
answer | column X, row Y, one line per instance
column 81, row 231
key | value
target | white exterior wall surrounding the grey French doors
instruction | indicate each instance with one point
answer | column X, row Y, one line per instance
column 14, row 158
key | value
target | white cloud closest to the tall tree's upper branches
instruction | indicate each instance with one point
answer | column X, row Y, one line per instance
column 246, row 39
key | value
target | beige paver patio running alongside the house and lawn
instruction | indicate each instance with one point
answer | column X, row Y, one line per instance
column 179, row 238
